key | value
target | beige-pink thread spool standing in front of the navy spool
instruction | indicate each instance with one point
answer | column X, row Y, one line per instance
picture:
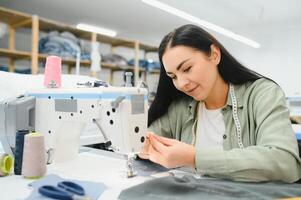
column 34, row 156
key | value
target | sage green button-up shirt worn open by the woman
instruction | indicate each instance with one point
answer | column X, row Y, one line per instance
column 270, row 150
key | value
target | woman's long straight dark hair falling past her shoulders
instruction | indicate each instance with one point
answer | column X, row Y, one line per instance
column 195, row 37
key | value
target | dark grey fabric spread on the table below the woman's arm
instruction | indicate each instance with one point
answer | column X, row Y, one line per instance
column 189, row 187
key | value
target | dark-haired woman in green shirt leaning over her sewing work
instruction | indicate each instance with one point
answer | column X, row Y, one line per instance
column 215, row 115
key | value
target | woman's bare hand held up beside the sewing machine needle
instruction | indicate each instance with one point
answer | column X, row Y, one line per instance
column 170, row 153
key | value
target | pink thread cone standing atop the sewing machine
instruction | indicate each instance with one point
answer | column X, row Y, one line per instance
column 52, row 75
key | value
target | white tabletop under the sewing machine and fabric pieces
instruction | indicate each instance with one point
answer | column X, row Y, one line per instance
column 88, row 166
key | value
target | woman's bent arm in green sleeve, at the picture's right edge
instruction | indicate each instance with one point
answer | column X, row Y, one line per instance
column 275, row 155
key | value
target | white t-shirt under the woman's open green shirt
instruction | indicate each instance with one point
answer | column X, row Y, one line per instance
column 210, row 128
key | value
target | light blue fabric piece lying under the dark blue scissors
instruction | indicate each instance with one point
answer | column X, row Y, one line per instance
column 92, row 189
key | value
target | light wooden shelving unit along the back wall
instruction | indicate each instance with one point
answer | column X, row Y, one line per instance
column 15, row 20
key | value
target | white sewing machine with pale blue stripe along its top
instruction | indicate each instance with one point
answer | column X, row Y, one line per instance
column 61, row 114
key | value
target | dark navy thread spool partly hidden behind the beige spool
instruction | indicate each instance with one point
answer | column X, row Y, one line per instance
column 19, row 151
